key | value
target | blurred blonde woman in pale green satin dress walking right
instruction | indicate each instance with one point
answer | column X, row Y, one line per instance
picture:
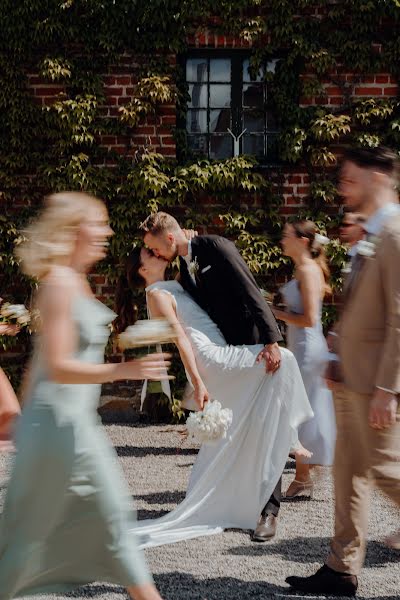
column 67, row 516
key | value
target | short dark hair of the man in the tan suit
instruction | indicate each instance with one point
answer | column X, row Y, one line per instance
column 381, row 159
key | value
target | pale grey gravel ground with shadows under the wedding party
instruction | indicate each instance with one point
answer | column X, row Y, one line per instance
column 230, row 566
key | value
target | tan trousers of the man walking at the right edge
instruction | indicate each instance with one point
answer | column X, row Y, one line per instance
column 363, row 456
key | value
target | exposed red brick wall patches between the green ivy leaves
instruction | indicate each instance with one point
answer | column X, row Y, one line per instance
column 155, row 133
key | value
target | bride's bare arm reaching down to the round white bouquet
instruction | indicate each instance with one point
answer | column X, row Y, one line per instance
column 160, row 305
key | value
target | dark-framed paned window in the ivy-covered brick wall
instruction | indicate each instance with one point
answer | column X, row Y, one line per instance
column 228, row 112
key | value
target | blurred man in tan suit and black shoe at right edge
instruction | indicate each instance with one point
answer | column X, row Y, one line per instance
column 368, row 417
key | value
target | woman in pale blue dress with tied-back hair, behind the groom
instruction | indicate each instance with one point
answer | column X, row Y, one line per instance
column 303, row 296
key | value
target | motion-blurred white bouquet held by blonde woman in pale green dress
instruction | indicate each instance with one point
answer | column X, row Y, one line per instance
column 147, row 333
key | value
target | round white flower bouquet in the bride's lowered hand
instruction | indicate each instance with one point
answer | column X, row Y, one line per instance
column 211, row 424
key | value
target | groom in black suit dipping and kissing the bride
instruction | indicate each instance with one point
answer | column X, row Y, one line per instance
column 217, row 277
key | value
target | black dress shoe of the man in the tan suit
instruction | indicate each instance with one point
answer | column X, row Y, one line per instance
column 326, row 581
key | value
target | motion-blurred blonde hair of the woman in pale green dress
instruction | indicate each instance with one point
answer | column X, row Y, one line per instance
column 51, row 238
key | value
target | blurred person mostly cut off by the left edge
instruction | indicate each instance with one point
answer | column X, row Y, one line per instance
column 9, row 405
